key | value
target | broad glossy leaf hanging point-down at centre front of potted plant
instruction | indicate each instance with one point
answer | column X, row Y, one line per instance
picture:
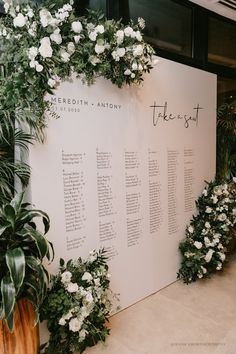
column 16, row 264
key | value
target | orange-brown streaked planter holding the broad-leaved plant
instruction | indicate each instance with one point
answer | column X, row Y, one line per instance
column 25, row 337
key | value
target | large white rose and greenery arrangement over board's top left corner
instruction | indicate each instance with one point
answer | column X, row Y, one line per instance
column 43, row 44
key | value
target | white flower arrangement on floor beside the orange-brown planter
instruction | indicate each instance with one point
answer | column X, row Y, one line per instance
column 78, row 305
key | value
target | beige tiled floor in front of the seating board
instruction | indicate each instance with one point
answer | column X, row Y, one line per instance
column 199, row 318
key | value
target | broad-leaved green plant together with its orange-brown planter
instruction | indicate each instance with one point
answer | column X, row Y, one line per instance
column 23, row 276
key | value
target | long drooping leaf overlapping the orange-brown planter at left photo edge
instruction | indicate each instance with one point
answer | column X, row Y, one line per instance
column 8, row 300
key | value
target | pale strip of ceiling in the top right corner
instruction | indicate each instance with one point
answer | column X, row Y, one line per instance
column 225, row 8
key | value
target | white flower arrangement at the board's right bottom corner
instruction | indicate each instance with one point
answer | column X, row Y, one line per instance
column 208, row 235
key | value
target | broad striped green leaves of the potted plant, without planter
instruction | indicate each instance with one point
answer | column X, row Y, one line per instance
column 22, row 250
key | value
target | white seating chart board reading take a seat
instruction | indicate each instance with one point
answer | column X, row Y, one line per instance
column 121, row 169
